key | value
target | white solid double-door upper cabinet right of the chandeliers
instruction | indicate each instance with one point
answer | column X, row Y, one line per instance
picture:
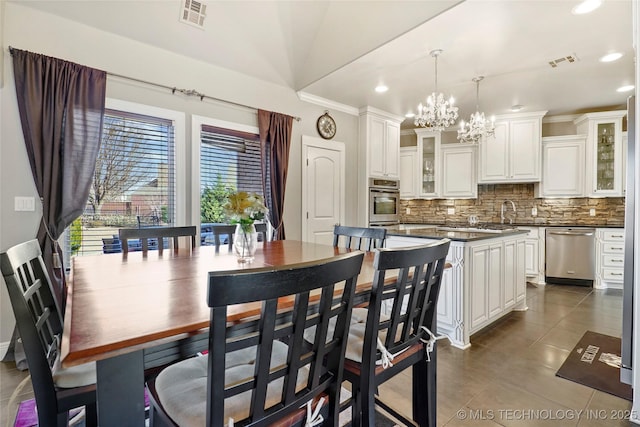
column 513, row 154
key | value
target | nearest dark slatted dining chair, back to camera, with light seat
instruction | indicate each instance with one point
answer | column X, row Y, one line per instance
column 291, row 300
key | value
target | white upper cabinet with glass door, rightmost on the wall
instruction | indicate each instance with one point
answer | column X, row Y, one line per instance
column 604, row 153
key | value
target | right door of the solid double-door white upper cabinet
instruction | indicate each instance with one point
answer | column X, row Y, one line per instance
column 524, row 150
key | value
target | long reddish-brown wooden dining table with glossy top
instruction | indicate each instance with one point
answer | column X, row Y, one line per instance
column 122, row 306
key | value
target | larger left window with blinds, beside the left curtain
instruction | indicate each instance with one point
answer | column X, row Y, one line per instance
column 134, row 184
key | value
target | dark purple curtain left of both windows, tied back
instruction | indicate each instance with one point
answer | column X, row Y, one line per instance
column 61, row 108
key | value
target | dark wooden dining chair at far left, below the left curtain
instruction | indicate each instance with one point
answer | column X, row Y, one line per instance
column 39, row 324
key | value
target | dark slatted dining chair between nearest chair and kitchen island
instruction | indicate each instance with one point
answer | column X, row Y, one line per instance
column 410, row 301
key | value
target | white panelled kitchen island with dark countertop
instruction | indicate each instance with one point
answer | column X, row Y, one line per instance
column 487, row 278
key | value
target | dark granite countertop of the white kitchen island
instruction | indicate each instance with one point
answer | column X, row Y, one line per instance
column 436, row 232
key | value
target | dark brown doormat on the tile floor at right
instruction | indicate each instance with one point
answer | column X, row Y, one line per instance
column 595, row 362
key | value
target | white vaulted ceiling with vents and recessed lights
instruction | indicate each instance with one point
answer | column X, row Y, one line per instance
column 341, row 50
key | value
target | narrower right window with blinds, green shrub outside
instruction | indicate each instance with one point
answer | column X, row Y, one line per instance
column 229, row 161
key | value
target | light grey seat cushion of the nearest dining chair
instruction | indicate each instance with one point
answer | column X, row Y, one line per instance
column 182, row 387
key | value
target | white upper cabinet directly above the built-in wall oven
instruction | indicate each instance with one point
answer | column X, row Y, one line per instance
column 380, row 134
